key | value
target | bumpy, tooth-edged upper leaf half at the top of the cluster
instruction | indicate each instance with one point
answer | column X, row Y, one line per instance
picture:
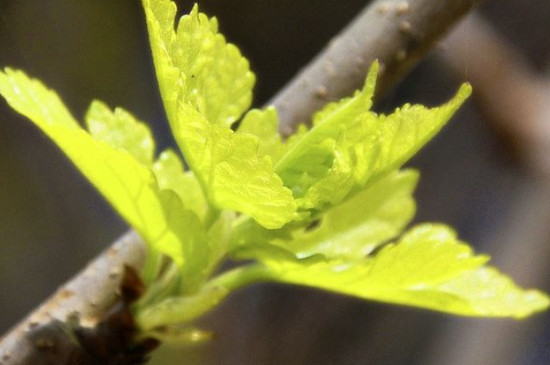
column 218, row 78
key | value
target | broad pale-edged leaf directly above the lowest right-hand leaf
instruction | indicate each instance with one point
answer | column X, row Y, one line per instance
column 356, row 227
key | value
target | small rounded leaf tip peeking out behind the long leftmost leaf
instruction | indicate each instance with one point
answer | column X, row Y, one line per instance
column 120, row 129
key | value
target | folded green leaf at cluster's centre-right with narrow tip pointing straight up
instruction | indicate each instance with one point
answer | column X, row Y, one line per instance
column 321, row 157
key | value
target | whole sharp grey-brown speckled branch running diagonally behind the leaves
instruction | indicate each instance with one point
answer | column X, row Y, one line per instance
column 398, row 33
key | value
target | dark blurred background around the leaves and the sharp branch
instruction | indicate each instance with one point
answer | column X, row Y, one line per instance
column 52, row 222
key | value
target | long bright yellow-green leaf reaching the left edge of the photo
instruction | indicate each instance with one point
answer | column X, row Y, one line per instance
column 125, row 182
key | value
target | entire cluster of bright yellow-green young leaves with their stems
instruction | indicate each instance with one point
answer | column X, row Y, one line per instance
column 326, row 208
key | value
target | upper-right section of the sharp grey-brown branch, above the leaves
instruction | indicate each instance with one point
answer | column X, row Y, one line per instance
column 397, row 33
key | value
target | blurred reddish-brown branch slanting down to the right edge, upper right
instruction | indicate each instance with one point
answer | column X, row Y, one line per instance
column 513, row 97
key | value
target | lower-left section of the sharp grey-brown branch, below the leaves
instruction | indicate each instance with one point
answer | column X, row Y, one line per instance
column 89, row 295
